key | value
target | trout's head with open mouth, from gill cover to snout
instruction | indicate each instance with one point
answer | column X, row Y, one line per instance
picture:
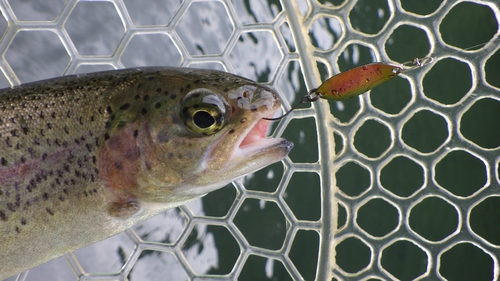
column 204, row 133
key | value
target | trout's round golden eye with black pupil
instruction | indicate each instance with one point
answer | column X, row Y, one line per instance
column 204, row 112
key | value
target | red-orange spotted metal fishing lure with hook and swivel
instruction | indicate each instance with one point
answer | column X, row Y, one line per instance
column 357, row 81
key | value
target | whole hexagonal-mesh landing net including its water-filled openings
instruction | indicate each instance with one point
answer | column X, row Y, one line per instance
column 416, row 161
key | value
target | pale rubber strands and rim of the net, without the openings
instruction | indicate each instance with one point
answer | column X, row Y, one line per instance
column 300, row 17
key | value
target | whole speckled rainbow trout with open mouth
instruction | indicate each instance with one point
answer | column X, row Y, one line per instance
column 84, row 157
